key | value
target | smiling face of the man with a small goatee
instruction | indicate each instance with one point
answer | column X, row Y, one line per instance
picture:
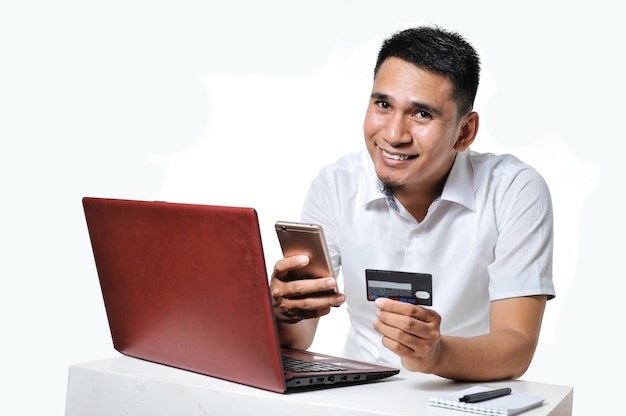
column 411, row 126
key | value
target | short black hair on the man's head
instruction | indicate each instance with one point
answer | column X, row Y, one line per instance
column 443, row 52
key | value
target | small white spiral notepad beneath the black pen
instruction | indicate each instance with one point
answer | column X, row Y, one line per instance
column 511, row 404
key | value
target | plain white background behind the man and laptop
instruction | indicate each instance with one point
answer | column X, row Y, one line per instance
column 241, row 103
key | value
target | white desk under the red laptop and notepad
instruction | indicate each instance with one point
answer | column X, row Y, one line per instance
column 127, row 386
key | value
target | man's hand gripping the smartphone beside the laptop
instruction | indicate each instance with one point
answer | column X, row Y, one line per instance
column 295, row 300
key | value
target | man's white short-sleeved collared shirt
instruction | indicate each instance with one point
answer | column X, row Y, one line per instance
column 488, row 237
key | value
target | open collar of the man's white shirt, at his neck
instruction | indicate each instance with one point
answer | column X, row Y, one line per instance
column 459, row 187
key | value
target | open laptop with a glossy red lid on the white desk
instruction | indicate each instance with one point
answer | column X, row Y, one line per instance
column 186, row 285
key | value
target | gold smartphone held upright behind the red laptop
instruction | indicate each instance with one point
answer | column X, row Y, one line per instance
column 298, row 238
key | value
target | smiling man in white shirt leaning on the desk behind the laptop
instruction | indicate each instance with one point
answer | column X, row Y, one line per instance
column 419, row 200
